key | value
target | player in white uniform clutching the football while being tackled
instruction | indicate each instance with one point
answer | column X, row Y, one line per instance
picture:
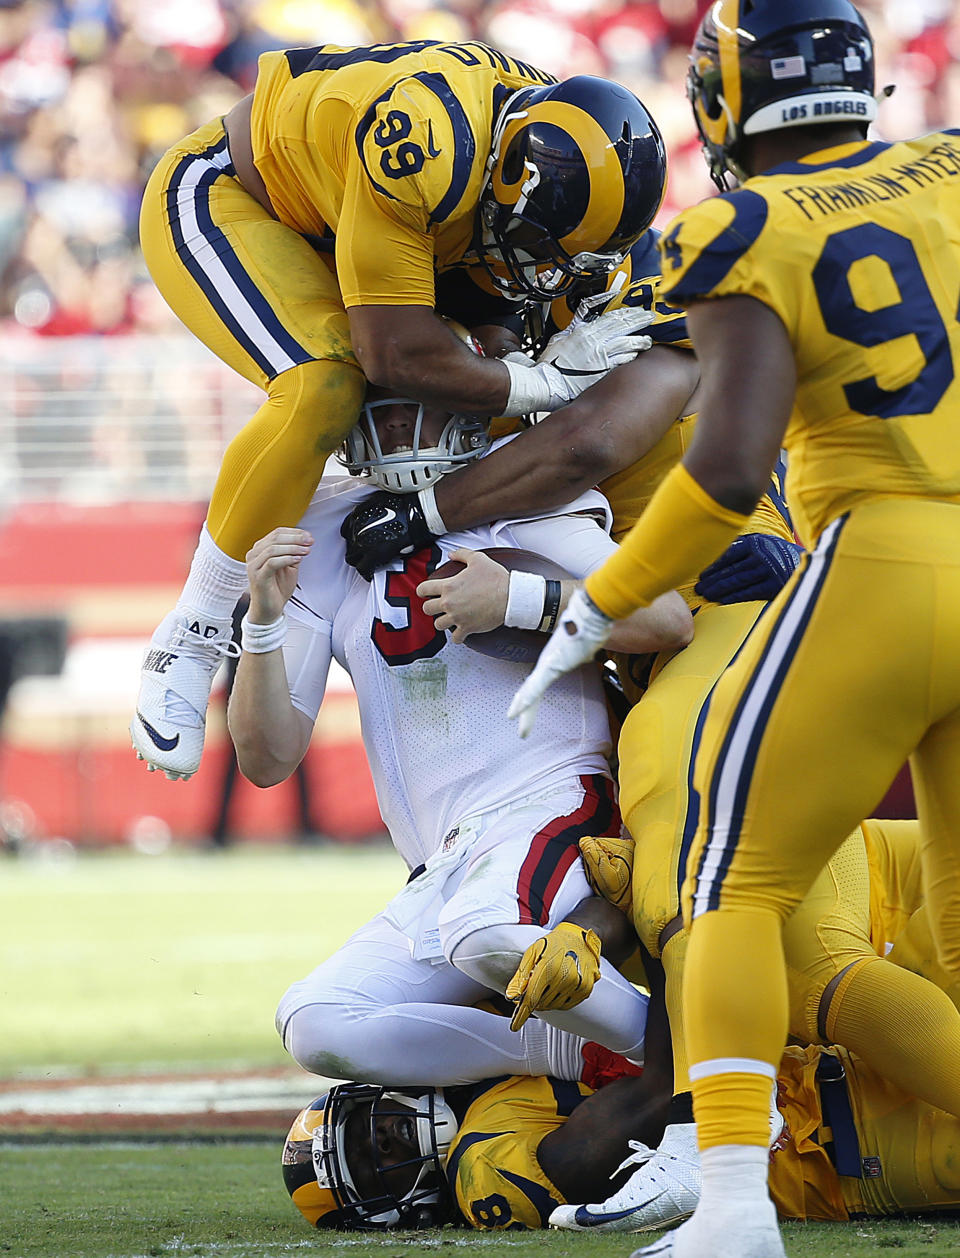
column 488, row 823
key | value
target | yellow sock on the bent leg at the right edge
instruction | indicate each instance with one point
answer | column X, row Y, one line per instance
column 904, row 1027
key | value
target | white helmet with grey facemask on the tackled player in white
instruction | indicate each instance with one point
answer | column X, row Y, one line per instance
column 464, row 438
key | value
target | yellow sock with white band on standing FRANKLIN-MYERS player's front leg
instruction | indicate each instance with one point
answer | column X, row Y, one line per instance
column 737, row 1012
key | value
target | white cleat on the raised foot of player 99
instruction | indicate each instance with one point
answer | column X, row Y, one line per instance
column 179, row 670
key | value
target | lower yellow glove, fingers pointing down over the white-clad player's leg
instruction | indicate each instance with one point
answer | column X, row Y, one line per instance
column 558, row 972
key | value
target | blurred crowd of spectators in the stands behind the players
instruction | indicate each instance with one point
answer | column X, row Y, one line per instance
column 94, row 91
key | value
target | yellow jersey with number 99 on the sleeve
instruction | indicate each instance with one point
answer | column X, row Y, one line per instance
column 382, row 153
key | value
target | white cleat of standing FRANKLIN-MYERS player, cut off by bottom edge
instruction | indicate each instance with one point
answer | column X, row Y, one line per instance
column 728, row 1231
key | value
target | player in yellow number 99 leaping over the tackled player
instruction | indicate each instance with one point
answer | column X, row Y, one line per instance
column 309, row 237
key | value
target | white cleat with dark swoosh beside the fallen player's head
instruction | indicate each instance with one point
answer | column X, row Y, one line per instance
column 662, row 1192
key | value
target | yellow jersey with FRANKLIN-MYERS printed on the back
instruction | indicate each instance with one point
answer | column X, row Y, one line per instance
column 857, row 251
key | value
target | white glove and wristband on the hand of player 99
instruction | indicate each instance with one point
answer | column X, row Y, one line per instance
column 576, row 359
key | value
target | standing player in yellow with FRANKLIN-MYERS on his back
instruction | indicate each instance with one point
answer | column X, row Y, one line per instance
column 823, row 306
